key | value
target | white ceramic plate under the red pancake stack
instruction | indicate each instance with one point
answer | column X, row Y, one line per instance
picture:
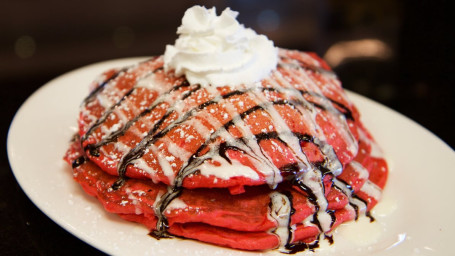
column 415, row 216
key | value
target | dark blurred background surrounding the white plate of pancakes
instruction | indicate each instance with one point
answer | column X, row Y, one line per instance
column 399, row 53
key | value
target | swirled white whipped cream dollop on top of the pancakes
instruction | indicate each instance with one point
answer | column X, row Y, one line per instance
column 218, row 50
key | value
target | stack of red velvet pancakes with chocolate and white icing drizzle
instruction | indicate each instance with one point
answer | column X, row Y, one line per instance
column 277, row 164
